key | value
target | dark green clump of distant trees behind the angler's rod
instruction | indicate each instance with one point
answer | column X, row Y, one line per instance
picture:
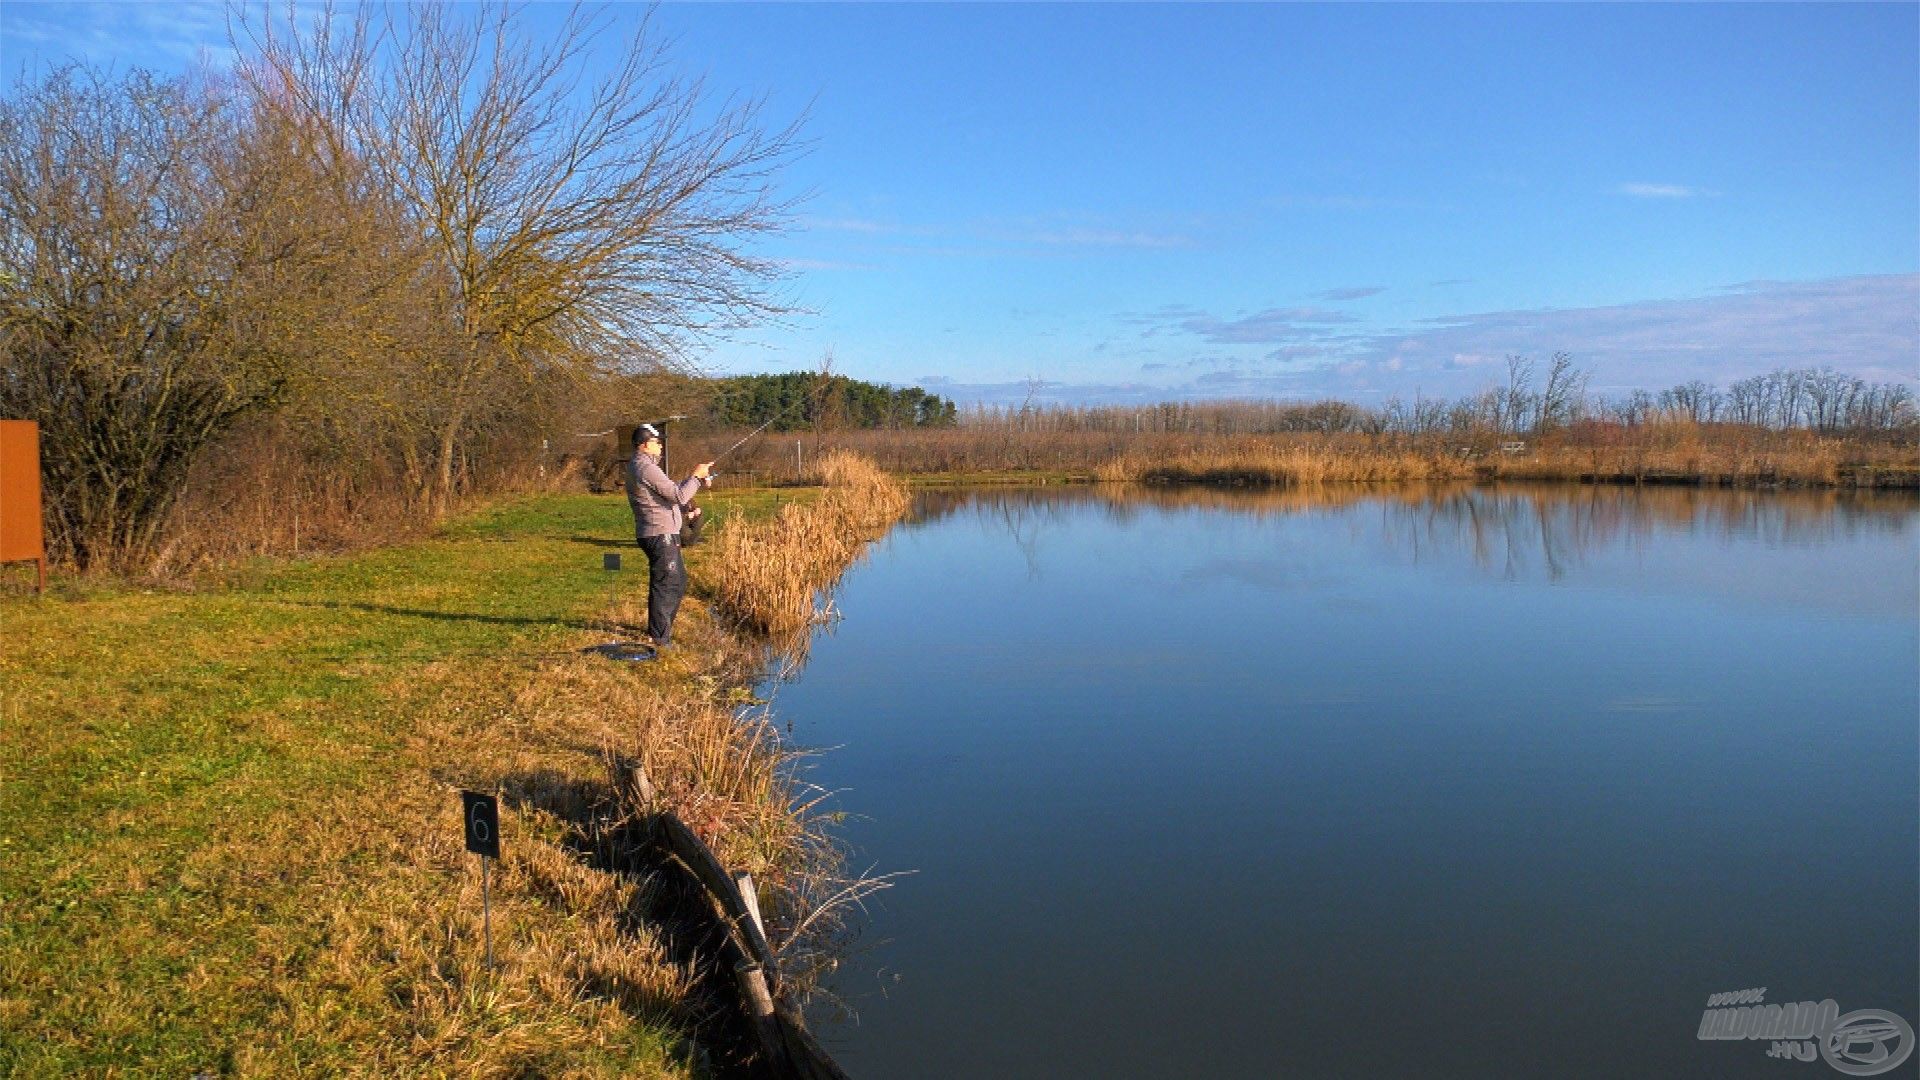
column 811, row 401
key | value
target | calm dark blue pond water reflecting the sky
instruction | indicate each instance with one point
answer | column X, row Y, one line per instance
column 1424, row 785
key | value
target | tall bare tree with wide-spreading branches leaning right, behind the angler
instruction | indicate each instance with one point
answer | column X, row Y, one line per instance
column 581, row 230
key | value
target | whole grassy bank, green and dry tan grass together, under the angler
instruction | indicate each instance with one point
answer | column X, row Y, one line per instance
column 233, row 829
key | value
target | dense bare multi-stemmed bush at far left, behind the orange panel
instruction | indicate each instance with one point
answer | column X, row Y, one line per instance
column 158, row 274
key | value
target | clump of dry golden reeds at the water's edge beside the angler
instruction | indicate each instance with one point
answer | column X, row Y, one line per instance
column 773, row 576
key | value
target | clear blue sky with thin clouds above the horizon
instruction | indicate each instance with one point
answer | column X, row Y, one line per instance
column 1145, row 203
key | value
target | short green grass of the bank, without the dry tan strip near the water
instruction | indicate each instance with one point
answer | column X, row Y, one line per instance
column 199, row 787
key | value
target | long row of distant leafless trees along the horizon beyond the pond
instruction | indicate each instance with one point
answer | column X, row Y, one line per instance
column 1815, row 399
